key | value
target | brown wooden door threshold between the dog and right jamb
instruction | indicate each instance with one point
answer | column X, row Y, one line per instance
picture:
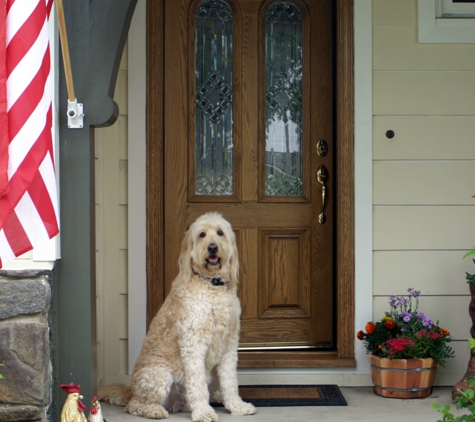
column 293, row 359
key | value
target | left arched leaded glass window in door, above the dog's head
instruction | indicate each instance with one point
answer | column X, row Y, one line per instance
column 214, row 99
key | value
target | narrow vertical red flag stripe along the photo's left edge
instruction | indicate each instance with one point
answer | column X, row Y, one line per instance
column 4, row 141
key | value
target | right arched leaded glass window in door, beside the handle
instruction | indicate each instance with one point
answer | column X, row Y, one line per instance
column 283, row 66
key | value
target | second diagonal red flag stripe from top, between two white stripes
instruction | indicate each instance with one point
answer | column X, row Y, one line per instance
column 29, row 99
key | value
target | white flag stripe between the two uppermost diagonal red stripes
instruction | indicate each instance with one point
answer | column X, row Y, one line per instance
column 21, row 77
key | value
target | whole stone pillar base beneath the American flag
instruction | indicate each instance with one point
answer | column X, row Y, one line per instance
column 25, row 389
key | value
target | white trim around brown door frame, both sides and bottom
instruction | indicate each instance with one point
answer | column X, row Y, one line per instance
column 363, row 198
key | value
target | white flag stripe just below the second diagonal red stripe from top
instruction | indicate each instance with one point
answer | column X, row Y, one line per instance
column 29, row 133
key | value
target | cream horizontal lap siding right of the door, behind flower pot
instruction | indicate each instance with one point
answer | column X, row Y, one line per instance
column 423, row 178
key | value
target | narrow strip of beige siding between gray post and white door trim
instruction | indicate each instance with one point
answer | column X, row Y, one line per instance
column 111, row 239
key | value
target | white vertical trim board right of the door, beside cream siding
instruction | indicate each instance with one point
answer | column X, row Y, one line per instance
column 363, row 174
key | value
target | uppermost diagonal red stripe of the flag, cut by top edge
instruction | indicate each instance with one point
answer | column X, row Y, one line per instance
column 26, row 36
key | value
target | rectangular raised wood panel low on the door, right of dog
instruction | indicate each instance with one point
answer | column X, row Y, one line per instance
column 285, row 267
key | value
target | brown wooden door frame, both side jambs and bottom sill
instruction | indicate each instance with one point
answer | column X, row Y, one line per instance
column 344, row 355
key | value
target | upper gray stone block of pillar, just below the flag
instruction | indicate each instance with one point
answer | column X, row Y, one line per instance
column 23, row 296
